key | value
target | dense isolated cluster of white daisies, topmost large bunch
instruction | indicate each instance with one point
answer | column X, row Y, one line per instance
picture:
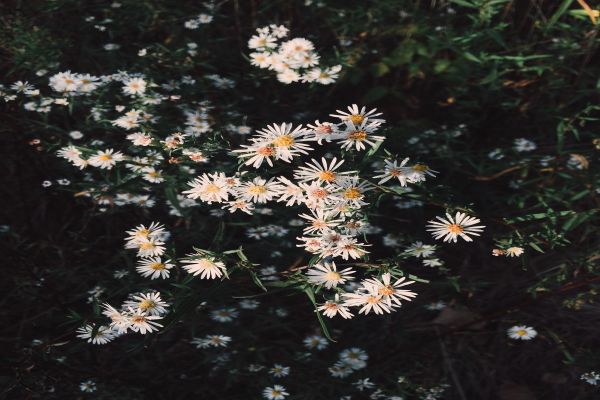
column 293, row 60
